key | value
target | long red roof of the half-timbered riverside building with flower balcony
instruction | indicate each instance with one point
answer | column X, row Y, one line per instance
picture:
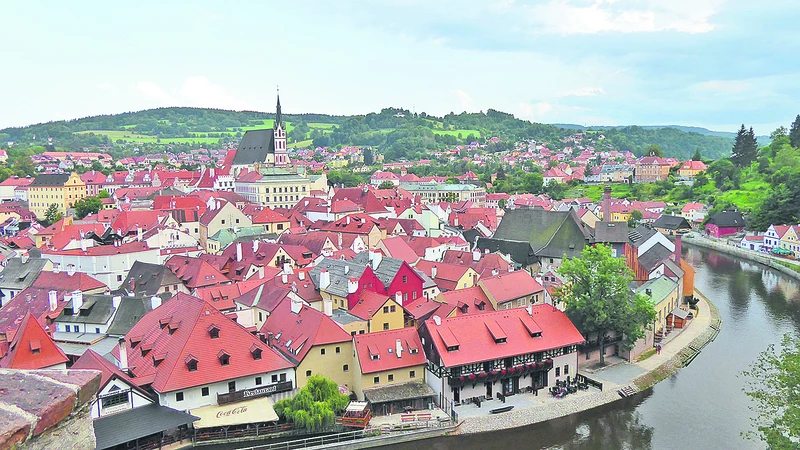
column 475, row 343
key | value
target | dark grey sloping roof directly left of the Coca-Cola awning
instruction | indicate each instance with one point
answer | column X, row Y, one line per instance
column 137, row 423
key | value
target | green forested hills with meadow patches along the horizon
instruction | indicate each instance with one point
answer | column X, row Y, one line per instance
column 398, row 133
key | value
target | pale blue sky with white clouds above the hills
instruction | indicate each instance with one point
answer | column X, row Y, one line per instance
column 709, row 63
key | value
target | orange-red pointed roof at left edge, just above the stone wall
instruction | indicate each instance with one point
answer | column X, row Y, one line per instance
column 32, row 348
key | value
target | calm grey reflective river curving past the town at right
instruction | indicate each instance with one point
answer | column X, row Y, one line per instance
column 700, row 407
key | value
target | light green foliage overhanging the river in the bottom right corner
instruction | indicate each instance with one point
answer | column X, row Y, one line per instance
column 773, row 383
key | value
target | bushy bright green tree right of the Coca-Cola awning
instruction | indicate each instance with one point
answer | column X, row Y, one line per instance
column 315, row 406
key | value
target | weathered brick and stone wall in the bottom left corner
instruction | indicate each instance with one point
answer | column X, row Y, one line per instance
column 47, row 409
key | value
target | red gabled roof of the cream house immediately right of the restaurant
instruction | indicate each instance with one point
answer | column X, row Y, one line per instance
column 295, row 334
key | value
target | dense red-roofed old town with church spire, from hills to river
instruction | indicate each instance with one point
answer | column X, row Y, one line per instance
column 196, row 293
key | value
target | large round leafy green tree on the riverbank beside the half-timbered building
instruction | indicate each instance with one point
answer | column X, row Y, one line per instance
column 598, row 299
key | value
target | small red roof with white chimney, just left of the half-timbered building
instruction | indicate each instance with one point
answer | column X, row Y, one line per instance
column 377, row 352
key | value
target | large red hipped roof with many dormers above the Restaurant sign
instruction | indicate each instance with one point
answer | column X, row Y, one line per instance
column 189, row 319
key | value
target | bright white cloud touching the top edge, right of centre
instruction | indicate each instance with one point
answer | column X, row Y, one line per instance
column 625, row 16
